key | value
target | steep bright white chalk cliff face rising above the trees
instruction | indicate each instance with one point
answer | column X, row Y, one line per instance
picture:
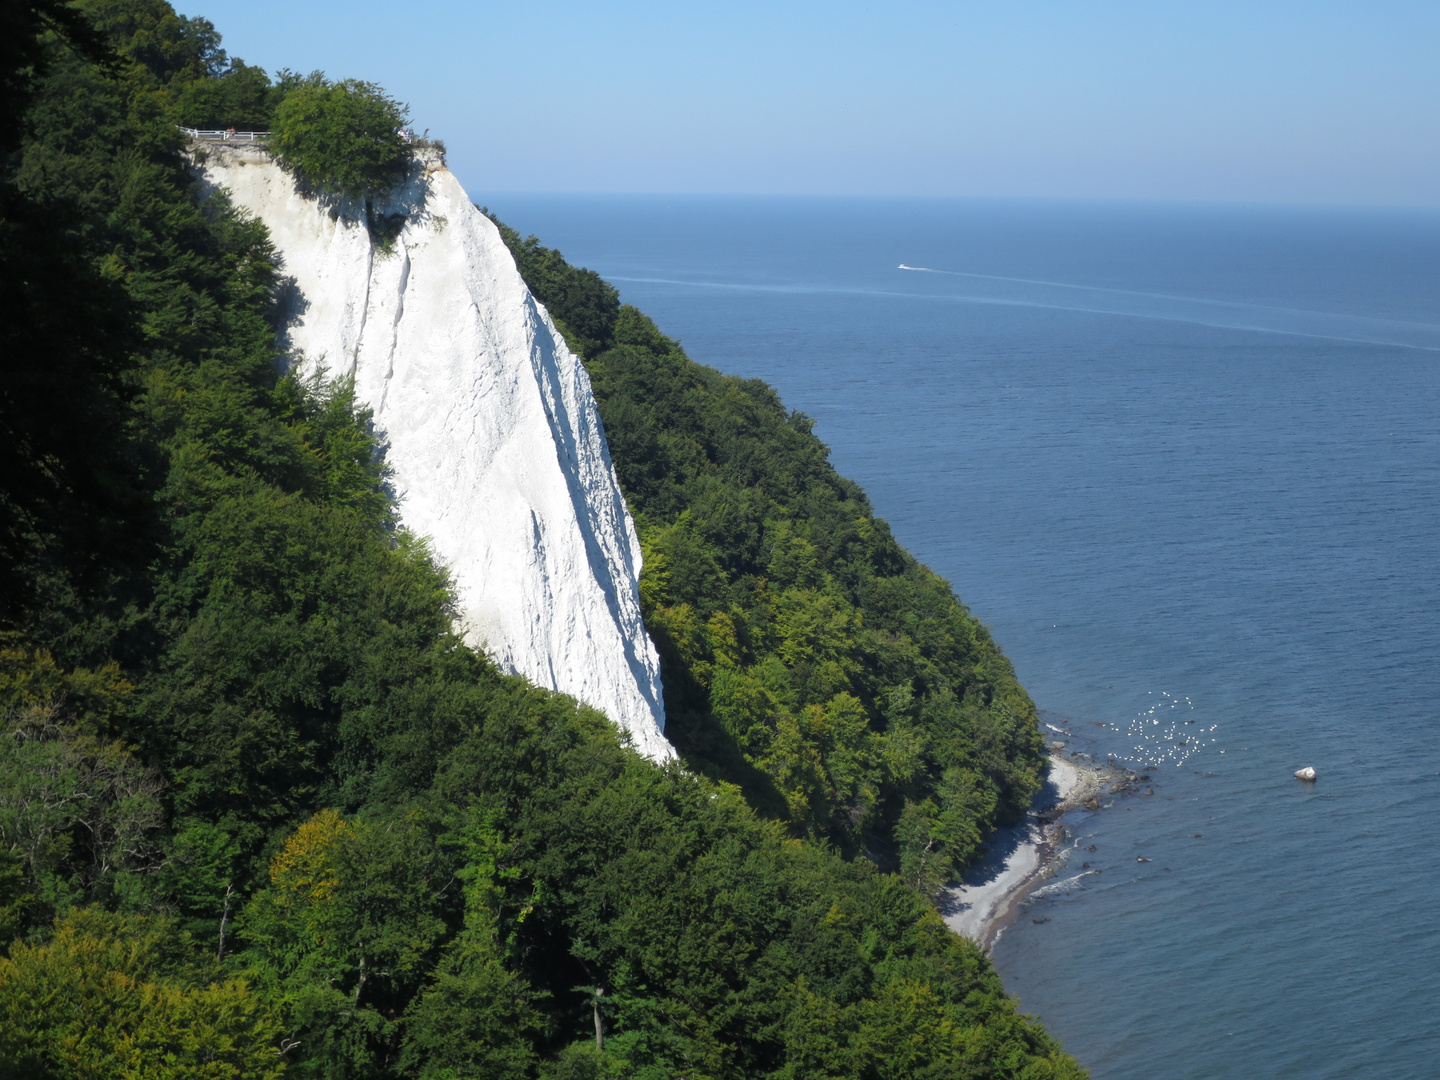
column 492, row 431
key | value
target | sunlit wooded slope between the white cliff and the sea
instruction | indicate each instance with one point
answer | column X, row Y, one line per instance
column 807, row 657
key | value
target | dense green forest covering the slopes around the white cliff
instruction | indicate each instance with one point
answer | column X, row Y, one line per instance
column 264, row 814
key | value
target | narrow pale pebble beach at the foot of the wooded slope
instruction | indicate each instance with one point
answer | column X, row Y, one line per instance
column 1020, row 858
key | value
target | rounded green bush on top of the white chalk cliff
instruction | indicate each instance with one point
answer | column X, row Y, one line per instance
column 342, row 138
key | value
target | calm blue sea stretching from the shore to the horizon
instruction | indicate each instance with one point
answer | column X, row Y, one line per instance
column 1184, row 462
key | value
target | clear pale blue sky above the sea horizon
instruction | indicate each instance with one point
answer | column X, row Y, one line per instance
column 1212, row 100
